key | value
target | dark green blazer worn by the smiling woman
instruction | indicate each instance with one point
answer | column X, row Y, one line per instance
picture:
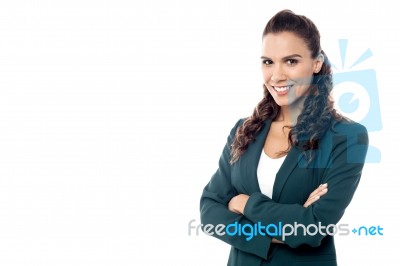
column 338, row 161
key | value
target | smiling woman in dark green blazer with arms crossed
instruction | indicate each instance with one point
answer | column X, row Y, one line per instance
column 279, row 163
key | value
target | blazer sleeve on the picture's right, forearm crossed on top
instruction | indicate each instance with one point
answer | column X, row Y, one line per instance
column 343, row 175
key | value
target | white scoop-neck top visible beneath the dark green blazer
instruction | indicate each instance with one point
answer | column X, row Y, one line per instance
column 266, row 172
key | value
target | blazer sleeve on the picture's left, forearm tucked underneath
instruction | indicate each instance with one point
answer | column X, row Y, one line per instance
column 214, row 208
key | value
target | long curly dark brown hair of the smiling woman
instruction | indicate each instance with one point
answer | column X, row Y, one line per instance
column 318, row 113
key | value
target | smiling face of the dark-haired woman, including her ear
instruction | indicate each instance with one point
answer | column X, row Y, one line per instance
column 287, row 67
